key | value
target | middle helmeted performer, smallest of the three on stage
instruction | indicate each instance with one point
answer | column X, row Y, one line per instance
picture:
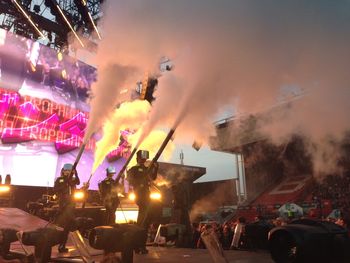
column 108, row 189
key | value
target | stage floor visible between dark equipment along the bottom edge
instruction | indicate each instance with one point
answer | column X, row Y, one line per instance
column 22, row 221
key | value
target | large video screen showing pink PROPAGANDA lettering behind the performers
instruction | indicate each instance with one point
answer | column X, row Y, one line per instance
column 44, row 108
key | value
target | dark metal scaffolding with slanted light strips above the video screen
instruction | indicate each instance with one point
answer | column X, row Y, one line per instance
column 81, row 14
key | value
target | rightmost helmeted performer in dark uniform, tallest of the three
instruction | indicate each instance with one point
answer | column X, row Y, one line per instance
column 140, row 177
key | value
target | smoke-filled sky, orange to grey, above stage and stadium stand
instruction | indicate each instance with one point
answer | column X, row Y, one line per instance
column 230, row 54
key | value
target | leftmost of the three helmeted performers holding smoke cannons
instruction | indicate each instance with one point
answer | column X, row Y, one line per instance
column 64, row 188
